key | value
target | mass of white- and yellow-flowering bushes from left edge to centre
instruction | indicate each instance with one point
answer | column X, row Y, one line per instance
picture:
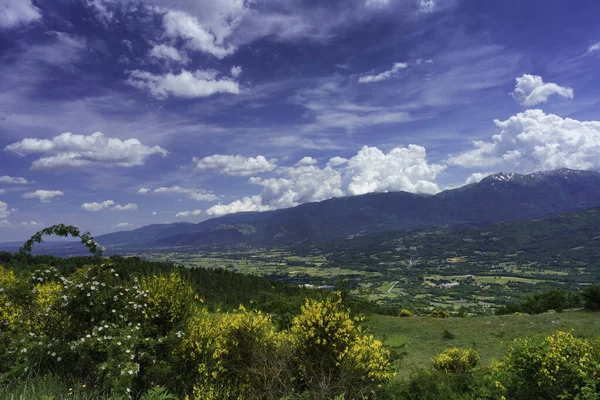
column 126, row 334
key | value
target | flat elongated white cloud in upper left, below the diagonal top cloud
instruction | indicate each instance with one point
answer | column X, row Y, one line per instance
column 186, row 84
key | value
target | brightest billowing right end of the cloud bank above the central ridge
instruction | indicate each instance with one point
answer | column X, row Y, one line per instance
column 402, row 169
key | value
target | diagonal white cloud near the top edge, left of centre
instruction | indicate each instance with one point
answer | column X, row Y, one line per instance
column 181, row 25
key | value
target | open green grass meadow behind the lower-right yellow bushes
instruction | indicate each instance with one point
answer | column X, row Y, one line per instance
column 421, row 337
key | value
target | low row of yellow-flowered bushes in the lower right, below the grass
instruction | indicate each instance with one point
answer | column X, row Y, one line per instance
column 559, row 366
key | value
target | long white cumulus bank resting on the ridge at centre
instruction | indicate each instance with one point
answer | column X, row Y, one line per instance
column 370, row 170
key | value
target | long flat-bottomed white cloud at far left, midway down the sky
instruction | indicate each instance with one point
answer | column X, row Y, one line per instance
column 69, row 150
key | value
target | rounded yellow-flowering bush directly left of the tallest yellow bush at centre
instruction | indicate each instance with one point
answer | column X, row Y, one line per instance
column 234, row 355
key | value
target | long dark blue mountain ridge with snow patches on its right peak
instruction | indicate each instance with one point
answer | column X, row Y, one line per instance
column 500, row 197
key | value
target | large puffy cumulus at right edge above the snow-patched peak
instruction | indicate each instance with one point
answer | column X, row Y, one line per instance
column 533, row 140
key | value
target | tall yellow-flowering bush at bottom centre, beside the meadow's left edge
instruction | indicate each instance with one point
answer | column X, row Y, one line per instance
column 333, row 354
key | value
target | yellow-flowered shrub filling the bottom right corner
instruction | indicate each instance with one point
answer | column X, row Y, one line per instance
column 557, row 366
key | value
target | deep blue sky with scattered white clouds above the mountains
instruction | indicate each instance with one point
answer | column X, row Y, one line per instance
column 116, row 114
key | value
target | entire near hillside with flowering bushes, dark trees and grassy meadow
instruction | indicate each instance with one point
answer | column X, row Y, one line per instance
column 122, row 328
